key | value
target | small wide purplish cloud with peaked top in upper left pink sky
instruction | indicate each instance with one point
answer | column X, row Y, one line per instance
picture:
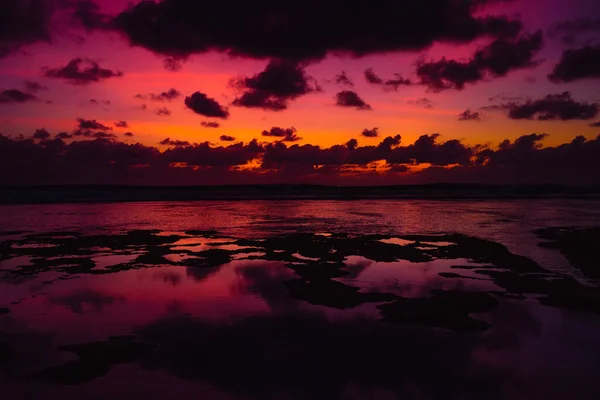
column 80, row 71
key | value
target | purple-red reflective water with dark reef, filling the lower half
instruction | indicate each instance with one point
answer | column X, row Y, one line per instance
column 381, row 299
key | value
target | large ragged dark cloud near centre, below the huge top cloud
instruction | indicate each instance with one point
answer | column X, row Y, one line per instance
column 273, row 88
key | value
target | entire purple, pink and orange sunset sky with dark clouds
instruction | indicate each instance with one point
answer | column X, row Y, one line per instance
column 127, row 76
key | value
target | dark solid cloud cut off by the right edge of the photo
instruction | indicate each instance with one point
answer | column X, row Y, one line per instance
column 577, row 64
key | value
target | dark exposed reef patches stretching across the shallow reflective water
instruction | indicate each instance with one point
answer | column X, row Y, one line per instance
column 320, row 260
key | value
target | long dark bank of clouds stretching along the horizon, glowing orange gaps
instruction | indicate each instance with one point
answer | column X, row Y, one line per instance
column 102, row 159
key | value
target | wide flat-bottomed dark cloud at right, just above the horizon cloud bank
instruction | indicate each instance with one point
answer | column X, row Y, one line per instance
column 553, row 107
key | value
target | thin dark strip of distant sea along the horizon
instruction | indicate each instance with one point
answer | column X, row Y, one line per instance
column 47, row 194
